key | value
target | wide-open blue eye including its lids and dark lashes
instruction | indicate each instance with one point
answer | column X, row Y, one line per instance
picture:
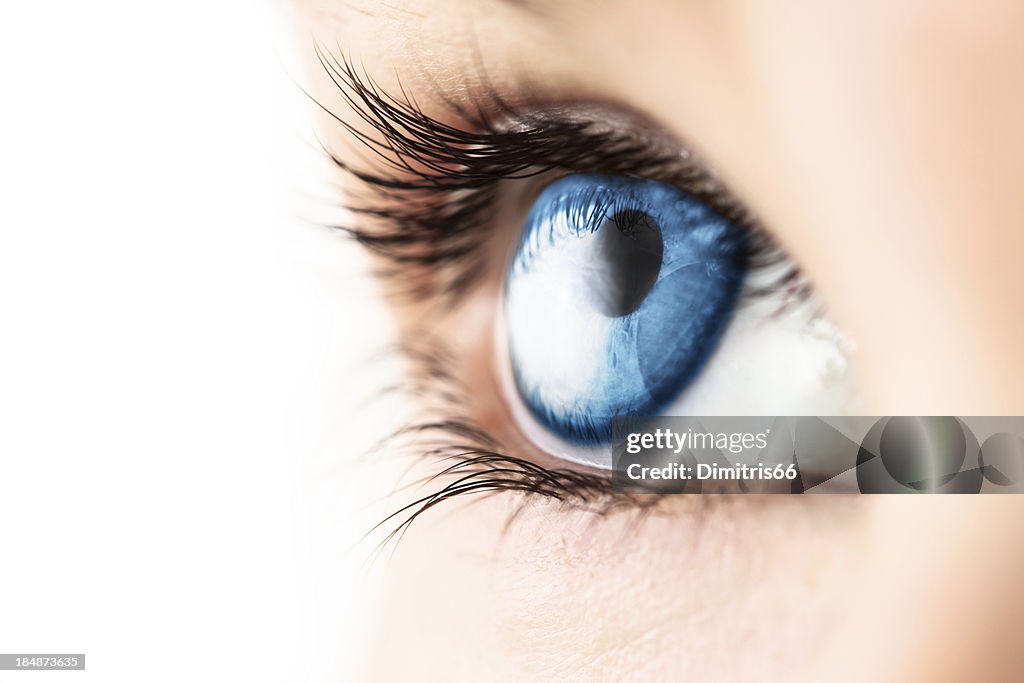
column 638, row 284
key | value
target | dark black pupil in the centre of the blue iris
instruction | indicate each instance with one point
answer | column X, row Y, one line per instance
column 628, row 252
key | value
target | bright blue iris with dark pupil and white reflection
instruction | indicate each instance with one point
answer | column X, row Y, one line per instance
column 616, row 298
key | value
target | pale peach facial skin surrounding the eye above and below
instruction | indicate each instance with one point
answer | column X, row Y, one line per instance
column 881, row 144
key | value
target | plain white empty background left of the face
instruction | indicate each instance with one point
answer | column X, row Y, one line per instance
column 173, row 347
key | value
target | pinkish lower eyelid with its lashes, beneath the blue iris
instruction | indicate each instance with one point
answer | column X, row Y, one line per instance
column 475, row 436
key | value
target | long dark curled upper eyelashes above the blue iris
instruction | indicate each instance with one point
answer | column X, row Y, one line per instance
column 434, row 186
